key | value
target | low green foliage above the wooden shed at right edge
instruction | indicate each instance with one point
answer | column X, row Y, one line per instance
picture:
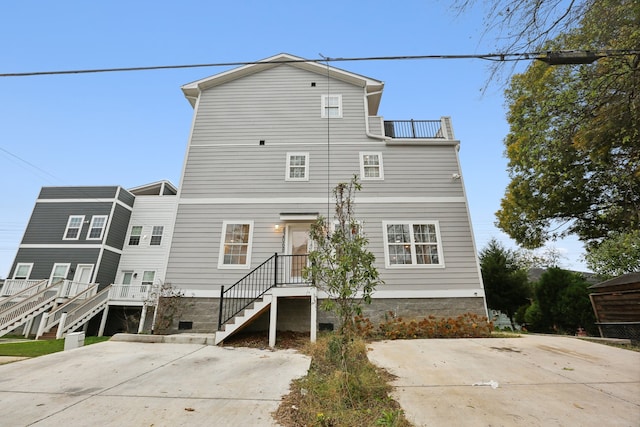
column 618, row 254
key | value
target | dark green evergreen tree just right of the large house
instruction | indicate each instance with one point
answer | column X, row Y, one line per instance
column 505, row 280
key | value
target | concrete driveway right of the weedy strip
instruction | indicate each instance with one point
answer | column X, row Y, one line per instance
column 527, row 381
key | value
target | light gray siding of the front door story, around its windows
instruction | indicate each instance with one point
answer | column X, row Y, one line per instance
column 196, row 243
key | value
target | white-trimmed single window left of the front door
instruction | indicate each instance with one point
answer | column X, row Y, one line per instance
column 235, row 244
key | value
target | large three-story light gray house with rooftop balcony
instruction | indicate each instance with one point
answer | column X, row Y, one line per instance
column 268, row 142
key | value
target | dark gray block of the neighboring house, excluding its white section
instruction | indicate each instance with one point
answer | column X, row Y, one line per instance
column 74, row 233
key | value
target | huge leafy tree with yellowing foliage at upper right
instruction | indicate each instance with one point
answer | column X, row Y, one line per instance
column 574, row 140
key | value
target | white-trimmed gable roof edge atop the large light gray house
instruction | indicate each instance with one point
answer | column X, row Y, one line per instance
column 373, row 87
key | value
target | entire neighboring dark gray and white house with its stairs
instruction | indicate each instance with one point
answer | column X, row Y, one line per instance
column 86, row 249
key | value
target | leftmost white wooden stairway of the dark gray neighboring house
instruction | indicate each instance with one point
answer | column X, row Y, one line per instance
column 27, row 304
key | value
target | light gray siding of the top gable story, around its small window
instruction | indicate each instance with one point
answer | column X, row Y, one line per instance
column 278, row 104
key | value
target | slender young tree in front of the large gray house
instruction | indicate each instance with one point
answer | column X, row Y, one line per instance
column 340, row 264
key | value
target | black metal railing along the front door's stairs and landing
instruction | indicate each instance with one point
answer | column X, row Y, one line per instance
column 275, row 271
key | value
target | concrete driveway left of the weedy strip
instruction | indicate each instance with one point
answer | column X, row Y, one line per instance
column 148, row 384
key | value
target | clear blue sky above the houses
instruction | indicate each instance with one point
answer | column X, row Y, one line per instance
column 132, row 128
